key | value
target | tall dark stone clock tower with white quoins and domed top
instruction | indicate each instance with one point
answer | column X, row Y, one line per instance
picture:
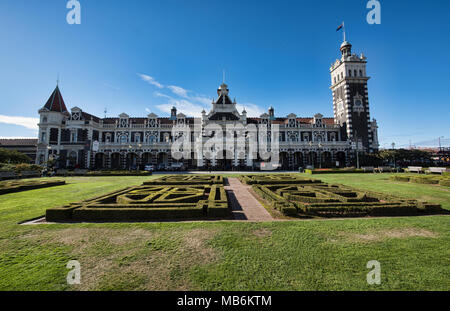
column 350, row 98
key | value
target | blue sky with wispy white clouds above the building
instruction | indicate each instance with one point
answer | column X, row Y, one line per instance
column 137, row 56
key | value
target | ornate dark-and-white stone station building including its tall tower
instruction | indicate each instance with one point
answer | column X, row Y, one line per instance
column 79, row 139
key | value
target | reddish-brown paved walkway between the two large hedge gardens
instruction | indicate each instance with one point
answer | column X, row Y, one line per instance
column 243, row 204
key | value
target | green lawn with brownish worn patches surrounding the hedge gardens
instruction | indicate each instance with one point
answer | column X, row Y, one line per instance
column 414, row 252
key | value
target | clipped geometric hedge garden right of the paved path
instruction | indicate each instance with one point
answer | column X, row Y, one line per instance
column 296, row 196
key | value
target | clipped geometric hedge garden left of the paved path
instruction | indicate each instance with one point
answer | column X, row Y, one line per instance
column 156, row 200
